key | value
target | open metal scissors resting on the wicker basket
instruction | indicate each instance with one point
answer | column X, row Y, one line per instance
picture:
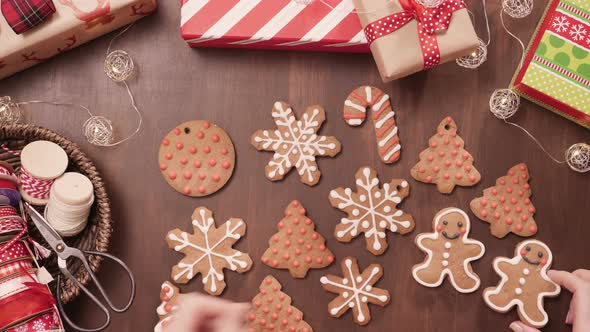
column 64, row 252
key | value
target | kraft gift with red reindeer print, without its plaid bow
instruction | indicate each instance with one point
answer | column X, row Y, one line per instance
column 74, row 23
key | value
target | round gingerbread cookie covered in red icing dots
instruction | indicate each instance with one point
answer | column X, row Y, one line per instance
column 197, row 158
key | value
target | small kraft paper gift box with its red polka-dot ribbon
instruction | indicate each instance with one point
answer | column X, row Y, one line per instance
column 399, row 53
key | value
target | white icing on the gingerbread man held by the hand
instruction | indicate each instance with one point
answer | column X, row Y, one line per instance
column 516, row 301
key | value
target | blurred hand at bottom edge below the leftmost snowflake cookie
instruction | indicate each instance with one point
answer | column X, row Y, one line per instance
column 202, row 313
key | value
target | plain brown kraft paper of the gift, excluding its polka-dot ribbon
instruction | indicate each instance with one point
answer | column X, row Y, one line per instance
column 399, row 54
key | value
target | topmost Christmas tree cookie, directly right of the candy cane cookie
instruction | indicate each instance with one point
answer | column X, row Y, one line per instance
column 446, row 163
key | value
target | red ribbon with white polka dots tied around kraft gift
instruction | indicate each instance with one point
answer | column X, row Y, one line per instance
column 430, row 22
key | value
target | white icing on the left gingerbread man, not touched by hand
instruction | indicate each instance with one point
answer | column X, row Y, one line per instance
column 467, row 272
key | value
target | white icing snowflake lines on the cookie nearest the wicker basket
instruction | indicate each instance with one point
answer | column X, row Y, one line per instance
column 207, row 250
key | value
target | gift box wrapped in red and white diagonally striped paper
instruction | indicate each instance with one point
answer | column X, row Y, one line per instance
column 273, row 24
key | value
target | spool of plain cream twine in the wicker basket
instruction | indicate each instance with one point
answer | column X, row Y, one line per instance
column 71, row 198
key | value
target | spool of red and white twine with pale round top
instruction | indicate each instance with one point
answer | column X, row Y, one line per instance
column 41, row 163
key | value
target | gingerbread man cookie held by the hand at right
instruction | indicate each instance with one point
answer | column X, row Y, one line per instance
column 524, row 283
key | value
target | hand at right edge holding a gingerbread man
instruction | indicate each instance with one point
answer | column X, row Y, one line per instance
column 578, row 314
